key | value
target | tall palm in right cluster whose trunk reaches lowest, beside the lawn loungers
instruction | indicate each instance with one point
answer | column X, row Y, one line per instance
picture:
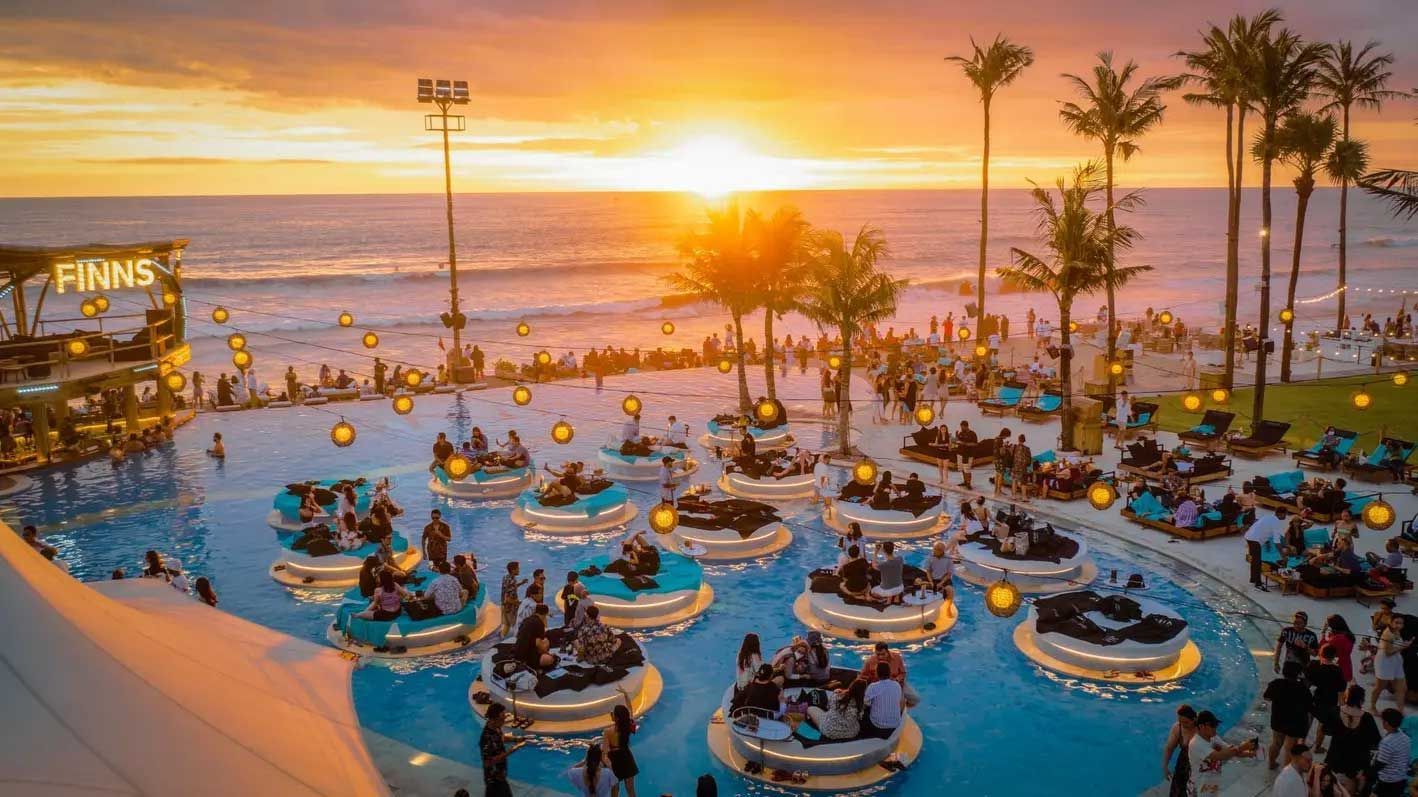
column 1283, row 79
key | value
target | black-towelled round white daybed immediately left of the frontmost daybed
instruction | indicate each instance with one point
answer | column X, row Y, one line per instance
column 574, row 698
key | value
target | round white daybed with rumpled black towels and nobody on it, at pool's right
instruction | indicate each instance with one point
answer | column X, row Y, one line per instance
column 1158, row 663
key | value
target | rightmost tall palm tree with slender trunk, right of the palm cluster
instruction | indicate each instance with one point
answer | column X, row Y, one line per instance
column 1348, row 79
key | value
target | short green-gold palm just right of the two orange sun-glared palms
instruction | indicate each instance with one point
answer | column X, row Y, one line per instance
column 847, row 291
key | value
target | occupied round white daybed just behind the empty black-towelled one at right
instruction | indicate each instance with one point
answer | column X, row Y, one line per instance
column 1057, row 565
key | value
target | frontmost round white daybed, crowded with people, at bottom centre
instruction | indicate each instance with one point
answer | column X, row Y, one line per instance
column 830, row 767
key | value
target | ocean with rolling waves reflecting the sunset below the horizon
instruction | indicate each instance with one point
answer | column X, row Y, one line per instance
column 588, row 269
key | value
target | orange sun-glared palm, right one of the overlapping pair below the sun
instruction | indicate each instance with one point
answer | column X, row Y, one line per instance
column 781, row 277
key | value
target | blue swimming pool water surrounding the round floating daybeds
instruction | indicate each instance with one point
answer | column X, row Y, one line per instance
column 993, row 723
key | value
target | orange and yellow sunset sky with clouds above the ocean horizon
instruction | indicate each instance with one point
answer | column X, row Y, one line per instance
column 161, row 97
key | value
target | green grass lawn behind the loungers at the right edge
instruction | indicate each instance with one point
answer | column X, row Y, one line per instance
column 1311, row 406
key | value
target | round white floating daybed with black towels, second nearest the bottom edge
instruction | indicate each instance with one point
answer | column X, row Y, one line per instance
column 571, row 711
